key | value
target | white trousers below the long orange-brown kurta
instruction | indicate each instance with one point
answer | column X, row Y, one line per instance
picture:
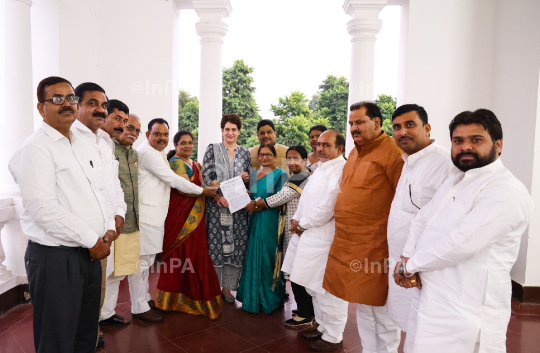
column 378, row 333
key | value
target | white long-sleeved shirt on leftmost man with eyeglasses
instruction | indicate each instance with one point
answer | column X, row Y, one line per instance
column 62, row 203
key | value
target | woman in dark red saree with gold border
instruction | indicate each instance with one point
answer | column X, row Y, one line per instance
column 188, row 283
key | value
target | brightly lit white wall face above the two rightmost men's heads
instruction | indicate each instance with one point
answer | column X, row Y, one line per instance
column 449, row 59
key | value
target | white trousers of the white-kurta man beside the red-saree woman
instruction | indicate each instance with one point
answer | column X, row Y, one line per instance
column 139, row 287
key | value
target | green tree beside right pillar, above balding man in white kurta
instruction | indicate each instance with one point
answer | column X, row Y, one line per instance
column 333, row 102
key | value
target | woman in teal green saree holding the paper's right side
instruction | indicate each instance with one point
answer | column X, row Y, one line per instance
column 261, row 287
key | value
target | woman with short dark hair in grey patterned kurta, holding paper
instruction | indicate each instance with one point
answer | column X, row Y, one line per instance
column 227, row 232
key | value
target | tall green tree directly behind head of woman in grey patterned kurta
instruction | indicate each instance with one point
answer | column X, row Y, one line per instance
column 238, row 98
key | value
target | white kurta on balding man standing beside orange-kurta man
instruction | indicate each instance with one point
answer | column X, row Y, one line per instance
column 307, row 255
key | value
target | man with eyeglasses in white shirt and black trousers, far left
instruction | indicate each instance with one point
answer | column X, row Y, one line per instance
column 66, row 220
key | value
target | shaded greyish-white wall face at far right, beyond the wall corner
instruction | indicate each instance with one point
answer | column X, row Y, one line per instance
column 515, row 101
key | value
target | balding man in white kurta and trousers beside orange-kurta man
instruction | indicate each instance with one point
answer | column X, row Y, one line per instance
column 308, row 249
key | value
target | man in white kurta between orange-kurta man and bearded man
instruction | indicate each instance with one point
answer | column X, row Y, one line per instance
column 427, row 165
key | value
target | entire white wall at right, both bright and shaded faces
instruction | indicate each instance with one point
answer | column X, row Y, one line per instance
column 470, row 54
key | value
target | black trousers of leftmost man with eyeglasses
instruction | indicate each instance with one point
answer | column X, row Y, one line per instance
column 65, row 289
